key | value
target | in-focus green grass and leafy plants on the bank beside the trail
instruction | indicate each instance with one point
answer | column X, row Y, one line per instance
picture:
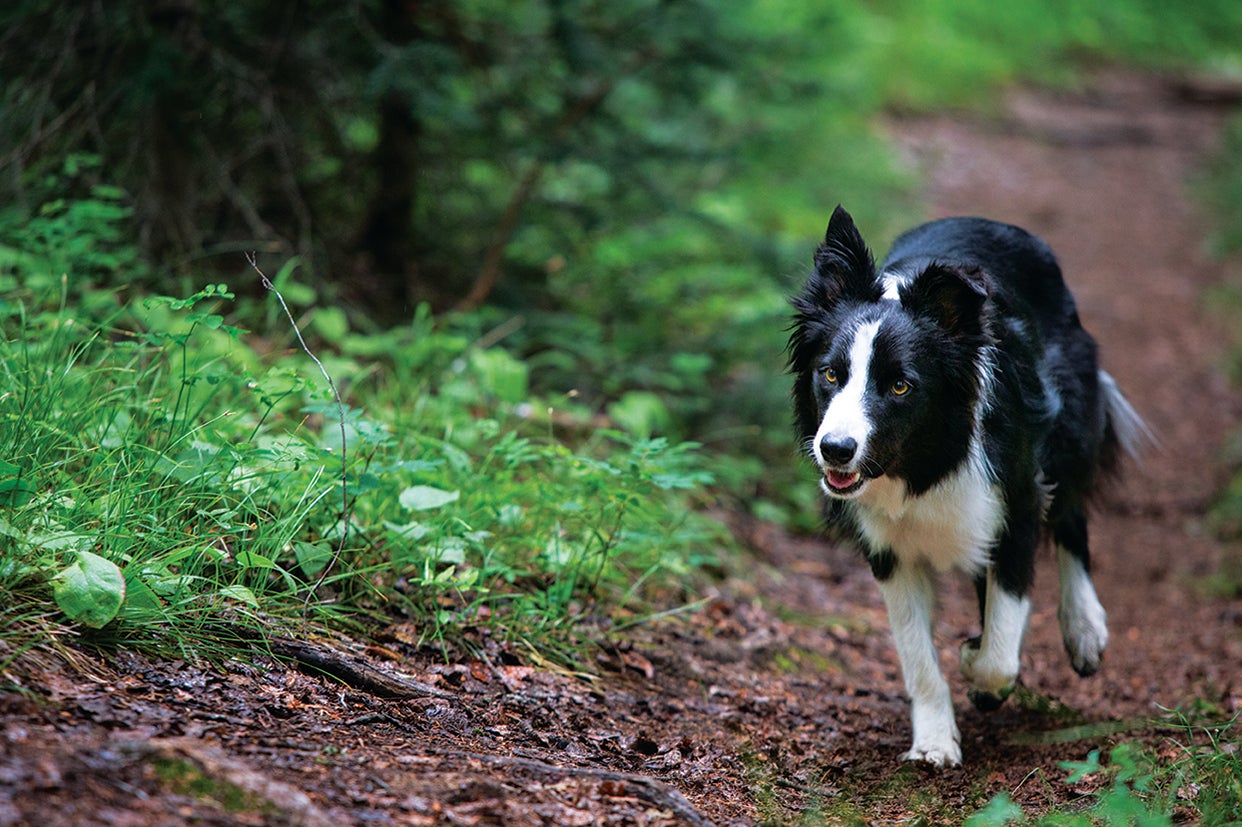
column 165, row 472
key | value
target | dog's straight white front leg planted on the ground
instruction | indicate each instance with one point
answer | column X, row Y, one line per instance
column 907, row 589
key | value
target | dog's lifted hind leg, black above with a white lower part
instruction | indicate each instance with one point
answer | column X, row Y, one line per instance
column 1084, row 621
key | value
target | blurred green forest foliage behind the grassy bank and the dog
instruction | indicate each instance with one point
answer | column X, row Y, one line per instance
column 589, row 208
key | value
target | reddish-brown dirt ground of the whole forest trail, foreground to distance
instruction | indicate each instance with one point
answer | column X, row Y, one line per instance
column 782, row 695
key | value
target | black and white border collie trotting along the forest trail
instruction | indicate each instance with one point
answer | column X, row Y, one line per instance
column 958, row 415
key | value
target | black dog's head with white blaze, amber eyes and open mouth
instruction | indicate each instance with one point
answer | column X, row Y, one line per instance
column 887, row 366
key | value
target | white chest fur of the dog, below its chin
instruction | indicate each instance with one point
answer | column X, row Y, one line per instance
column 953, row 526
